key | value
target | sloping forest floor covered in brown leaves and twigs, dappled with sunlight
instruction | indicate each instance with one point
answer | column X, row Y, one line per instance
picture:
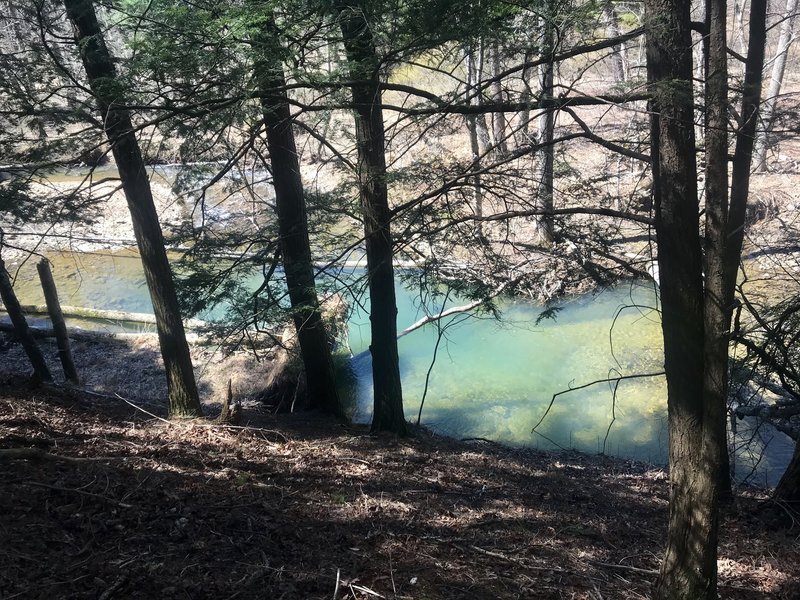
column 112, row 502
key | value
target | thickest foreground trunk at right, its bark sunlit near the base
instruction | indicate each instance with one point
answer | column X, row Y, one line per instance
column 689, row 569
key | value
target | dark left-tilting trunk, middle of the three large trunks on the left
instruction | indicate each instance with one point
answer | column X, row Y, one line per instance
column 290, row 205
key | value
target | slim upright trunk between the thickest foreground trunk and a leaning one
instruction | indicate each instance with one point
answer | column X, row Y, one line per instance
column 716, row 310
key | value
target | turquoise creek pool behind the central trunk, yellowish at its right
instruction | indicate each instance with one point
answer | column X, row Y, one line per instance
column 496, row 379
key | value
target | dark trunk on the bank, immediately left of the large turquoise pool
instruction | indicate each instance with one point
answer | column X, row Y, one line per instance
column 364, row 68
